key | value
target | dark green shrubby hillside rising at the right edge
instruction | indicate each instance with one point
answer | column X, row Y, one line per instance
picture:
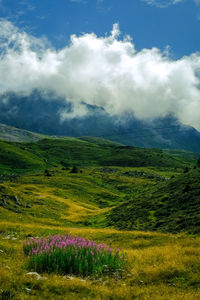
column 171, row 206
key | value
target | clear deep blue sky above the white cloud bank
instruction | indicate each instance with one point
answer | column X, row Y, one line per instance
column 151, row 23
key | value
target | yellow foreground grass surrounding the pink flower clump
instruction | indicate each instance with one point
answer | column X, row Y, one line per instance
column 158, row 265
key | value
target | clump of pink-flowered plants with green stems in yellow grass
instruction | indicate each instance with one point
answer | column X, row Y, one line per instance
column 72, row 255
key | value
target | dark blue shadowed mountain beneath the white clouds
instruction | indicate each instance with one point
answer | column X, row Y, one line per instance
column 41, row 112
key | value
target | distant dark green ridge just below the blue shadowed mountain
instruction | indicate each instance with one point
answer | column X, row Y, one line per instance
column 66, row 152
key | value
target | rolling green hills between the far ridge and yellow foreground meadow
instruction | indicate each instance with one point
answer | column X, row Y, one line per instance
column 126, row 198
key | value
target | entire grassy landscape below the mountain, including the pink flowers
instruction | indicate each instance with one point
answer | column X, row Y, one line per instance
column 124, row 226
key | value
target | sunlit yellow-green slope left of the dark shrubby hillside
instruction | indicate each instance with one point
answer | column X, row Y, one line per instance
column 62, row 198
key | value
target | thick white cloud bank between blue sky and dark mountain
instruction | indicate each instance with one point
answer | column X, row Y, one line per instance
column 104, row 71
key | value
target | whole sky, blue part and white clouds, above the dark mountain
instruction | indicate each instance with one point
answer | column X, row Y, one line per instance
column 135, row 56
